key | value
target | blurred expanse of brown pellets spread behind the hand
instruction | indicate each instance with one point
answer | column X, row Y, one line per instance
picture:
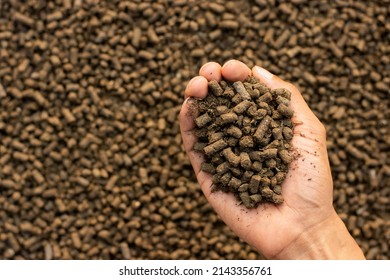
column 91, row 163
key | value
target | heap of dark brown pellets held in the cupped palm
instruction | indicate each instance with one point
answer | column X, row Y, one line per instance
column 244, row 130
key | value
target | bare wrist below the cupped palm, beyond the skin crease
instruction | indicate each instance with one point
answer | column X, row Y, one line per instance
column 328, row 239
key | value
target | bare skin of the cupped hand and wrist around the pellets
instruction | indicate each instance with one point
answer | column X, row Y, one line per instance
column 306, row 225
